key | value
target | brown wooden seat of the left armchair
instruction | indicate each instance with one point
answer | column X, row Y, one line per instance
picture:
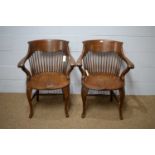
column 49, row 80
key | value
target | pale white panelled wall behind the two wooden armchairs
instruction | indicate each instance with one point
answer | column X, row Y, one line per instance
column 139, row 44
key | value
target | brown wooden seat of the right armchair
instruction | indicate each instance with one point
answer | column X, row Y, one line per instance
column 102, row 81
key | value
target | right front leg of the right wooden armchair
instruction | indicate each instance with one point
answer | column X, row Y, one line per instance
column 122, row 96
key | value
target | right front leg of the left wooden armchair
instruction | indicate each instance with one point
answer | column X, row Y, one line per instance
column 66, row 99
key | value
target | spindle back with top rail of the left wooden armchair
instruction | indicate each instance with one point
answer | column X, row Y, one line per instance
column 48, row 56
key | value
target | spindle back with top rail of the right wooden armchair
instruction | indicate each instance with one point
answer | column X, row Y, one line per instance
column 102, row 56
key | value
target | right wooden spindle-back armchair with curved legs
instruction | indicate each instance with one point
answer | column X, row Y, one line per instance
column 100, row 65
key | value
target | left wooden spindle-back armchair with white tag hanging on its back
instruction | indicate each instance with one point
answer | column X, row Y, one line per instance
column 50, row 66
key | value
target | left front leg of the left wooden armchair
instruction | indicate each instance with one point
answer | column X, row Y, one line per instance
column 29, row 94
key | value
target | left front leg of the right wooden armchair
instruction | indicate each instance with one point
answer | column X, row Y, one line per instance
column 84, row 92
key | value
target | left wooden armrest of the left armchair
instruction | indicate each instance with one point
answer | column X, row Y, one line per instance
column 21, row 65
